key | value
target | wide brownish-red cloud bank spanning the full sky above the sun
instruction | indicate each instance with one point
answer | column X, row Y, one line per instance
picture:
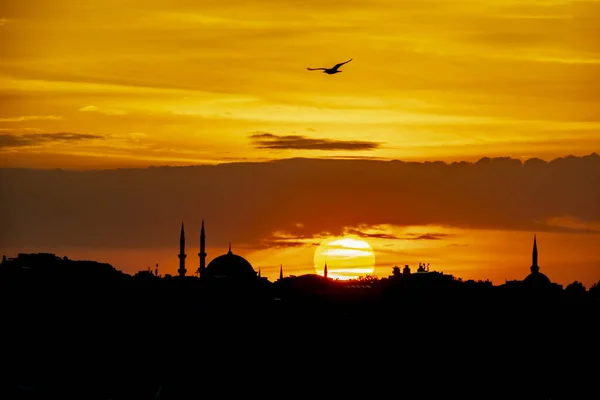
column 247, row 202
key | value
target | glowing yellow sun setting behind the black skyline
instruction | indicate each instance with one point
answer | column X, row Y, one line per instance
column 346, row 258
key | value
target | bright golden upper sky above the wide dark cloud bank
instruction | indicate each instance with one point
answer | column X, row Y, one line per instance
column 184, row 81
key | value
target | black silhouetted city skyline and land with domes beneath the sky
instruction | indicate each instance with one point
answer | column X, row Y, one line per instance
column 232, row 310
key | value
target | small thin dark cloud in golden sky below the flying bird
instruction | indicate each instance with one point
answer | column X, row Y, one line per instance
column 298, row 142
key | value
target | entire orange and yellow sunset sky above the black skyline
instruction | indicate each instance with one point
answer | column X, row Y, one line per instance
column 107, row 84
